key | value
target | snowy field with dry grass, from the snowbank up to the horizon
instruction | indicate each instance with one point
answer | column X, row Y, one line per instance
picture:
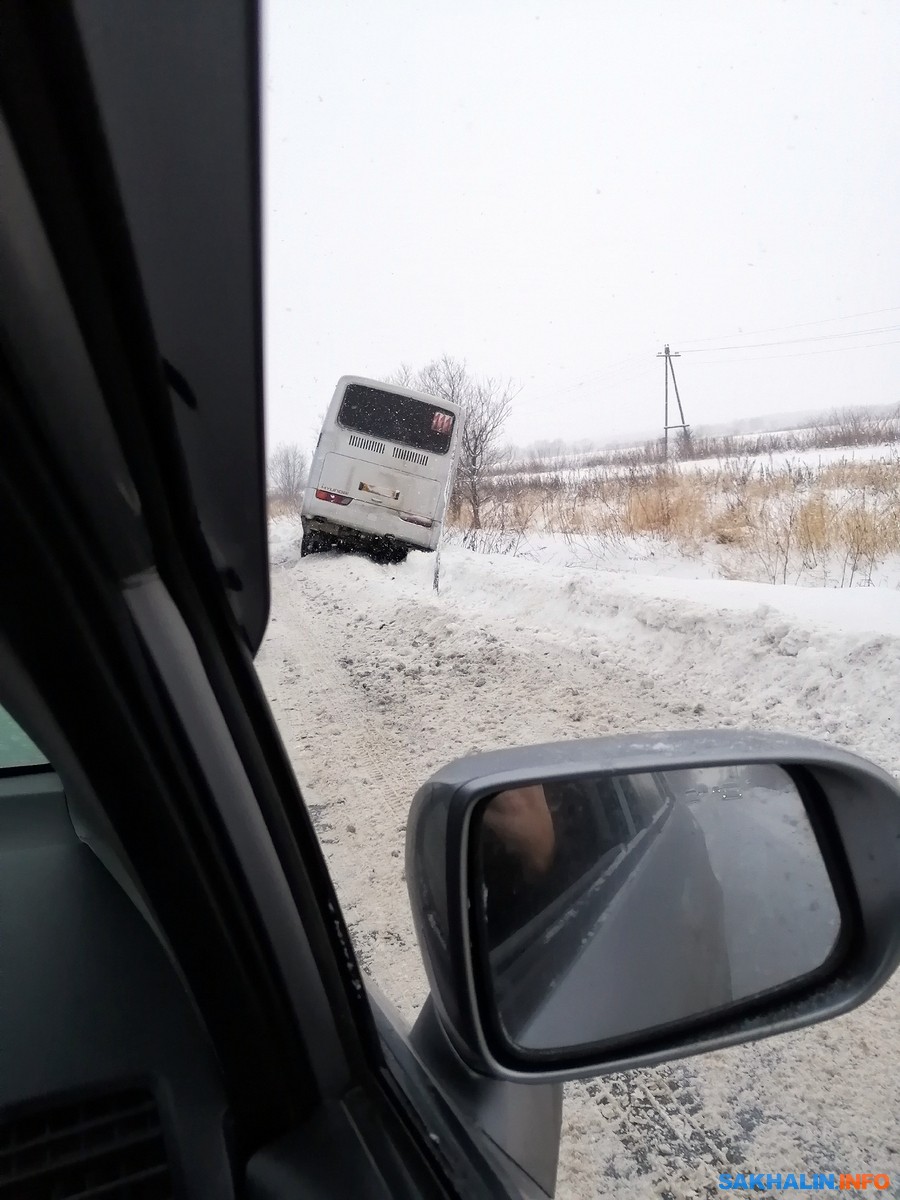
column 825, row 518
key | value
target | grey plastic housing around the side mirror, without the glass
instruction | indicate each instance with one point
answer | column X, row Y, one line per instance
column 855, row 811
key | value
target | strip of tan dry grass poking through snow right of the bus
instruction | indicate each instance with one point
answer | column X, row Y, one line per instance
column 779, row 523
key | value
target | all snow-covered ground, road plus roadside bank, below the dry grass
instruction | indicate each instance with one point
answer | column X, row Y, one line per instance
column 376, row 682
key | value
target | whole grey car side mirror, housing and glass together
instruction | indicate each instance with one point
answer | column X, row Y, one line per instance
column 591, row 907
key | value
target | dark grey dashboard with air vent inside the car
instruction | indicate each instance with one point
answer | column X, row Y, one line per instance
column 109, row 1084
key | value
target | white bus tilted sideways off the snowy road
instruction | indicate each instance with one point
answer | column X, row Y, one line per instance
column 381, row 477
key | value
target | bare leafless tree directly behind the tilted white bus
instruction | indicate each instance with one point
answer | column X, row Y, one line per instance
column 488, row 404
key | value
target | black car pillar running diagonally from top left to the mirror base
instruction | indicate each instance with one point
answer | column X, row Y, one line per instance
column 149, row 615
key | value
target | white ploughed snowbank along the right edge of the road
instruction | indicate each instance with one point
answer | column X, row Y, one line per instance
column 821, row 662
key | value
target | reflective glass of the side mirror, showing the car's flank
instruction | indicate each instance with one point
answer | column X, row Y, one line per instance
column 613, row 907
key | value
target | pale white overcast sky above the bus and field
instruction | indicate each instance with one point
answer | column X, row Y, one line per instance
column 553, row 191
